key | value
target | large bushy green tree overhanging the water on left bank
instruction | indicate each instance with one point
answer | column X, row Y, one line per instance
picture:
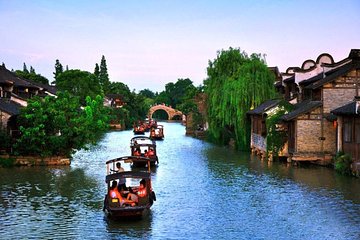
column 58, row 126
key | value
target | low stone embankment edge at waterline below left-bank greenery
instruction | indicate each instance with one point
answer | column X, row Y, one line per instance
column 7, row 161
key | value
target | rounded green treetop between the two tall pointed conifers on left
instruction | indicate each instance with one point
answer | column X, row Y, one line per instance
column 79, row 83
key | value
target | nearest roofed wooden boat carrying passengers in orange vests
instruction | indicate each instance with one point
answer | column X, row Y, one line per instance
column 116, row 206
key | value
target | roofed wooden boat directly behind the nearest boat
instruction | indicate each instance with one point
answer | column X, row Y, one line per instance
column 142, row 146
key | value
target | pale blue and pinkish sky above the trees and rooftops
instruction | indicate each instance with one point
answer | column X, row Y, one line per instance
column 150, row 43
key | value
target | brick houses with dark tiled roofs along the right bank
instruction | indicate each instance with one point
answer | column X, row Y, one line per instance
column 322, row 93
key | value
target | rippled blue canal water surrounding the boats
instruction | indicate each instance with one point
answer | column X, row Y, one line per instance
column 203, row 192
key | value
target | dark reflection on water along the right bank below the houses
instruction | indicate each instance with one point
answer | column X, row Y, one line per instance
column 228, row 163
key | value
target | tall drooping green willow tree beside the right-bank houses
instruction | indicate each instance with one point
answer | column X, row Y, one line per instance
column 235, row 84
